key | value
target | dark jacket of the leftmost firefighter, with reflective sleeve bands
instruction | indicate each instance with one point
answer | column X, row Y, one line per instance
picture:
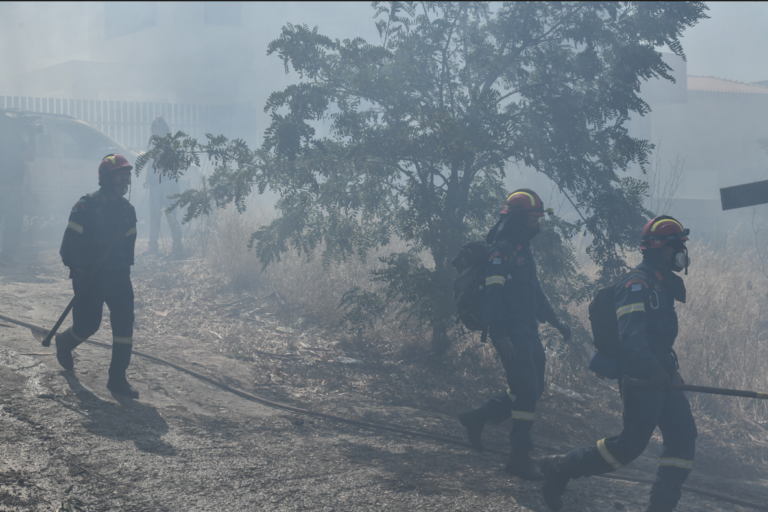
column 93, row 223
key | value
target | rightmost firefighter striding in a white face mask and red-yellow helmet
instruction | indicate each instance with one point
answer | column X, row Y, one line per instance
column 645, row 309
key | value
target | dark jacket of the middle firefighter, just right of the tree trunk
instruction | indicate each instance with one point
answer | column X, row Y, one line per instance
column 514, row 302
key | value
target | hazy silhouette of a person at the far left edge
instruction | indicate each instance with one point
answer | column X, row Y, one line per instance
column 13, row 153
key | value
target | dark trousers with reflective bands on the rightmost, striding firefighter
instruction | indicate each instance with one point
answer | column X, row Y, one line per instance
column 644, row 410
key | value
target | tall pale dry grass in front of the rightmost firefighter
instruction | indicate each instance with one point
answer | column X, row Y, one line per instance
column 723, row 340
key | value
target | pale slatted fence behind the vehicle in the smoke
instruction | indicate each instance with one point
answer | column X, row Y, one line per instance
column 128, row 122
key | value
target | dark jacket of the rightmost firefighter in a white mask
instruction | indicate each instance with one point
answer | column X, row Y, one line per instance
column 645, row 310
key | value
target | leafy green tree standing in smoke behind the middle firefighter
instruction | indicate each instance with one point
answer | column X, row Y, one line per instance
column 422, row 124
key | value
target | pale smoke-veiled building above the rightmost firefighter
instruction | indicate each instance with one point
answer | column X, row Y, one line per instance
column 714, row 135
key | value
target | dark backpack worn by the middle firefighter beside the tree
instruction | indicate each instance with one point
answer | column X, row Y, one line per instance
column 469, row 286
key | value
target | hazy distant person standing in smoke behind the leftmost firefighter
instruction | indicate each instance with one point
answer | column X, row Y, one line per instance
column 160, row 188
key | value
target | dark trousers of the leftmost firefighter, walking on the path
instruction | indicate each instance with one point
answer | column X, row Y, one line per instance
column 114, row 288
